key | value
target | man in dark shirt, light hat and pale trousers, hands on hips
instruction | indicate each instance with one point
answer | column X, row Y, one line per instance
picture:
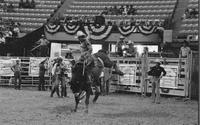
column 156, row 72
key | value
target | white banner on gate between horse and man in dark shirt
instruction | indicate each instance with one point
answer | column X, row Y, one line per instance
column 129, row 71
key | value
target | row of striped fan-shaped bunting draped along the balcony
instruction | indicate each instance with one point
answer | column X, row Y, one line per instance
column 99, row 32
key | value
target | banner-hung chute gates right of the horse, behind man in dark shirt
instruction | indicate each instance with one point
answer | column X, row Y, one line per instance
column 177, row 82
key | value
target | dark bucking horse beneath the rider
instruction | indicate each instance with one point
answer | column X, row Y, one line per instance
column 79, row 82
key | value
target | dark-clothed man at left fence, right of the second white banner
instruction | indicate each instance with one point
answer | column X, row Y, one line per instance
column 42, row 71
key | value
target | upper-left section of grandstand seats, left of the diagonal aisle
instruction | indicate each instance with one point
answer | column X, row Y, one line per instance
column 30, row 18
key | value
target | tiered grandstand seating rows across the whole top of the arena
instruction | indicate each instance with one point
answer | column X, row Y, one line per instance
column 160, row 10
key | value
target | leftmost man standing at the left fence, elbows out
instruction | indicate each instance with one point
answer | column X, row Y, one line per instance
column 17, row 74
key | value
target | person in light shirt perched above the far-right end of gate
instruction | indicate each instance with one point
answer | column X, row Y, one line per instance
column 185, row 50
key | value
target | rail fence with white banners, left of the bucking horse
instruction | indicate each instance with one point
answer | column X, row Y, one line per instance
column 30, row 71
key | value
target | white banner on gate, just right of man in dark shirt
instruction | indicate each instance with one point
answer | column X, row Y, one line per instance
column 171, row 78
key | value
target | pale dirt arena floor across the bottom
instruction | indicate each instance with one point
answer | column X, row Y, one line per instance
column 31, row 107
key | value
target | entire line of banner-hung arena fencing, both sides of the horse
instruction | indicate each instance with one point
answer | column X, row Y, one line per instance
column 179, row 81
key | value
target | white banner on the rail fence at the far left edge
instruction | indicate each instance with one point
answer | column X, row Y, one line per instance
column 5, row 66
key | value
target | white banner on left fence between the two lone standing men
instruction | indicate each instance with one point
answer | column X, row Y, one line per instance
column 34, row 65
